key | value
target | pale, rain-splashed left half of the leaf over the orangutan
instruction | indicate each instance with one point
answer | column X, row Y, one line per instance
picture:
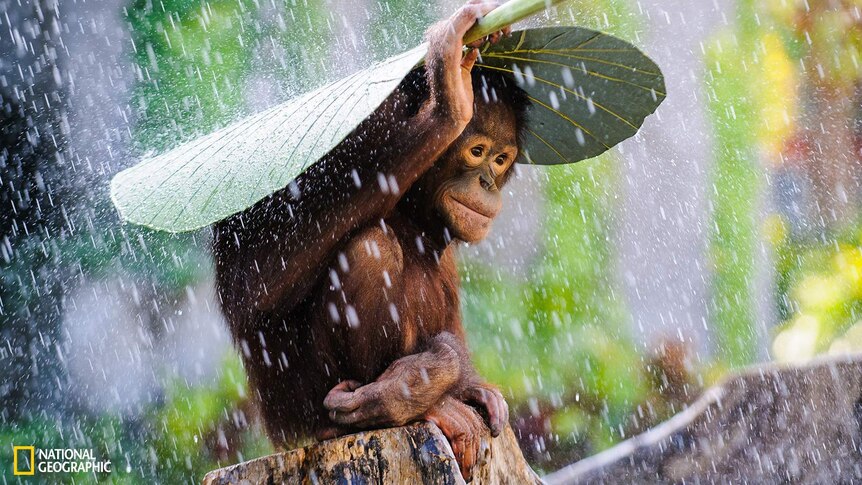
column 227, row 171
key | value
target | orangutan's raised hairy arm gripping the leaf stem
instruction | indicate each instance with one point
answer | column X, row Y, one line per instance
column 361, row 179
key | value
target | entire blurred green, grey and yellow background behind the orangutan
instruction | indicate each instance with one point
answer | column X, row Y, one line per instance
column 610, row 293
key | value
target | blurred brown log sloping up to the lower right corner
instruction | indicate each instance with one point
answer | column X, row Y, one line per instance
column 772, row 424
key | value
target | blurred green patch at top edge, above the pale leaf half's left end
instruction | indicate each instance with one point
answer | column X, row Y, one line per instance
column 189, row 51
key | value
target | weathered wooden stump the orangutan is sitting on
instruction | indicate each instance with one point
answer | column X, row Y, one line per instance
column 418, row 453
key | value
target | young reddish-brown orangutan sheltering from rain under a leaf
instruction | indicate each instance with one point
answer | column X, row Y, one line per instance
column 342, row 289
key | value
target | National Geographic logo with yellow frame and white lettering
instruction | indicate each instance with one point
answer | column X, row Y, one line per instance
column 27, row 460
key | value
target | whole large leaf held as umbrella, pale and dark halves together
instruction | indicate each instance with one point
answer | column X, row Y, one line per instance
column 589, row 92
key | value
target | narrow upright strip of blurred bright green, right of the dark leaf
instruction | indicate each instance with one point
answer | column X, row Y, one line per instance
column 736, row 181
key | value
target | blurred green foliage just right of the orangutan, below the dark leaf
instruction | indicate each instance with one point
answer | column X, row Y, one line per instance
column 564, row 342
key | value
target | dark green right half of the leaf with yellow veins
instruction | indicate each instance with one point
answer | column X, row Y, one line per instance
column 589, row 91
